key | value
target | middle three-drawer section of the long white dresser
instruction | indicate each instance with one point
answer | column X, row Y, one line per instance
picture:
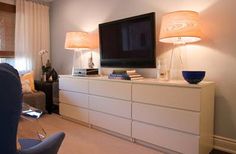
column 110, row 105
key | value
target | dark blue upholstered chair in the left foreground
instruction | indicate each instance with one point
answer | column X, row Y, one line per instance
column 10, row 110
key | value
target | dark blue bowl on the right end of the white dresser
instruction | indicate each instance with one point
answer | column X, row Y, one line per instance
column 193, row 77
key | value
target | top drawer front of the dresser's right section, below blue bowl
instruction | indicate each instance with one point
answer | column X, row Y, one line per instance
column 177, row 97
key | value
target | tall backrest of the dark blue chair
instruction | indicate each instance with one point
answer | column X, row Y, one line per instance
column 10, row 107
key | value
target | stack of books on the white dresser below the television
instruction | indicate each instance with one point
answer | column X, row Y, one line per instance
column 125, row 75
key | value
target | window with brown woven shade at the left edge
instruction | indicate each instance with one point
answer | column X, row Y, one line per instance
column 7, row 32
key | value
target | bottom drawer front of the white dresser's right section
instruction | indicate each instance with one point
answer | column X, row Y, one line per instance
column 173, row 140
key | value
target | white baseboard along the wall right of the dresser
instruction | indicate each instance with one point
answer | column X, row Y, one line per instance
column 225, row 144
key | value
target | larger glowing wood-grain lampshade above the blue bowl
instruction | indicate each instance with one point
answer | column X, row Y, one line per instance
column 180, row 27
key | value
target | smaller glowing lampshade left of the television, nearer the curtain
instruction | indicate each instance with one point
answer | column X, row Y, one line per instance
column 77, row 40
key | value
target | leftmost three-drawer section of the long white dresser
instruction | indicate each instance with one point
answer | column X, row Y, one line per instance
column 73, row 98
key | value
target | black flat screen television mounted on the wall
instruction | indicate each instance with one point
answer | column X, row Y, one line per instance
column 129, row 42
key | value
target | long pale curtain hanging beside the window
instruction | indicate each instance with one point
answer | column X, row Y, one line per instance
column 31, row 35
